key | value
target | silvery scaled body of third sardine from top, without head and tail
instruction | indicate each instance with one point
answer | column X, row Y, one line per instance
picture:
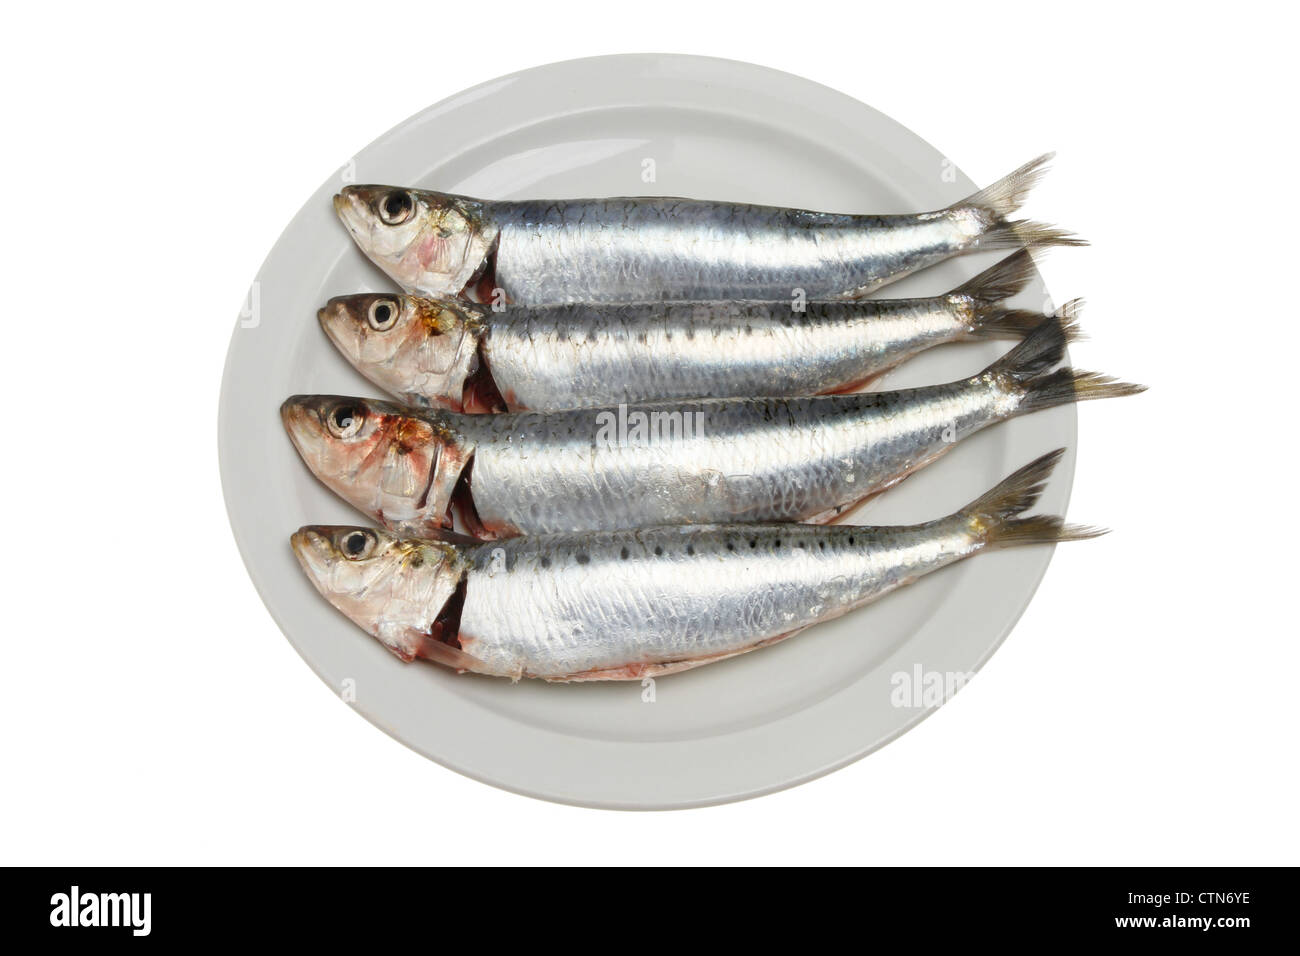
column 748, row 461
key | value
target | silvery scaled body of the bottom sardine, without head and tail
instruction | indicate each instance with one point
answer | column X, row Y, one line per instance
column 552, row 616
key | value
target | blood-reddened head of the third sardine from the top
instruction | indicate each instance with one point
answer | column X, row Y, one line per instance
column 397, row 465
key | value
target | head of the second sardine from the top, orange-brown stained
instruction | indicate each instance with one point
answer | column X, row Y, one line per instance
column 417, row 348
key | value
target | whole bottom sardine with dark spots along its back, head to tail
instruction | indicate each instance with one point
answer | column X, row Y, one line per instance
column 627, row 605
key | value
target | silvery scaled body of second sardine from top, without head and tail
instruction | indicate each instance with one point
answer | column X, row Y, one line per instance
column 548, row 361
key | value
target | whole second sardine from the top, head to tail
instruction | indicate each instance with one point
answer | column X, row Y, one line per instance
column 463, row 357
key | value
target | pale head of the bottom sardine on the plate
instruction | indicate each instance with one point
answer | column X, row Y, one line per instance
column 393, row 589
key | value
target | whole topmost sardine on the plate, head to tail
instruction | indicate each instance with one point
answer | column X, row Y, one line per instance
column 645, row 249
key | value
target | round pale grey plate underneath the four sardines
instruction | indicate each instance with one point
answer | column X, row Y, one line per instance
column 636, row 126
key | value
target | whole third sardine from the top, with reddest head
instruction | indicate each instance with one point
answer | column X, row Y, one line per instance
column 632, row 466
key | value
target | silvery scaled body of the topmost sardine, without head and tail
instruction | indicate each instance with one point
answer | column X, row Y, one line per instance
column 679, row 249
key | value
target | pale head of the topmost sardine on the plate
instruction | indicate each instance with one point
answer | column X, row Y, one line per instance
column 430, row 243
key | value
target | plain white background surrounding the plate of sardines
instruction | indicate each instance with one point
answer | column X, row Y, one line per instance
column 1143, row 711
